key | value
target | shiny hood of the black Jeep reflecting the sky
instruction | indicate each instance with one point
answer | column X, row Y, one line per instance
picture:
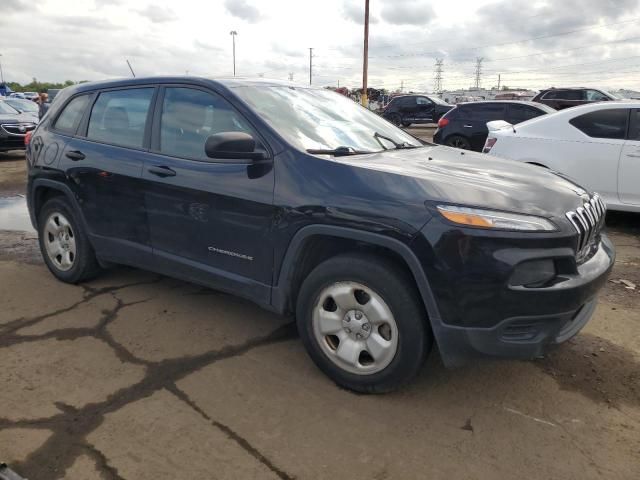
column 449, row 175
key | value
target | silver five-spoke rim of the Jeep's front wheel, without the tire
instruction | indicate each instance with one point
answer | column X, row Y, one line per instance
column 355, row 328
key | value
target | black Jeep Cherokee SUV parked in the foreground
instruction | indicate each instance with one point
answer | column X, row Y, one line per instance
column 304, row 202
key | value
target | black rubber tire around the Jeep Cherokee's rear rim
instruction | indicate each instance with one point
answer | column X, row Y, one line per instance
column 84, row 265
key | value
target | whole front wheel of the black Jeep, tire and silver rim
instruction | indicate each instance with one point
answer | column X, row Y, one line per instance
column 363, row 323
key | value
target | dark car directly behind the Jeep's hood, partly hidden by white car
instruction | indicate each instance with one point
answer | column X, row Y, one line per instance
column 465, row 126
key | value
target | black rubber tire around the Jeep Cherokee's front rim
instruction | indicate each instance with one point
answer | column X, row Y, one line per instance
column 398, row 290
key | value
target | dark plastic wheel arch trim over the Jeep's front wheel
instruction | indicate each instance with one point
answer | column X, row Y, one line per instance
column 287, row 280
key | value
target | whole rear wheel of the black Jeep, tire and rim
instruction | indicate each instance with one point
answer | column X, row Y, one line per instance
column 64, row 244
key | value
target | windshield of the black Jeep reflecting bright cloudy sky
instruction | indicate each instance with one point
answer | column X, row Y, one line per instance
column 314, row 119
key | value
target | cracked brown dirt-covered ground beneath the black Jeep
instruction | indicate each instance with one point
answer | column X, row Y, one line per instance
column 137, row 376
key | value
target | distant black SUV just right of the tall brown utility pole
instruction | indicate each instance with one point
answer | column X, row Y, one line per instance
column 407, row 109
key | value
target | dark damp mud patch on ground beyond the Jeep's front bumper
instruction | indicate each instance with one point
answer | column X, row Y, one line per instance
column 595, row 368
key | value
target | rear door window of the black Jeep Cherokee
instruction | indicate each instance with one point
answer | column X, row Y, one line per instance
column 119, row 117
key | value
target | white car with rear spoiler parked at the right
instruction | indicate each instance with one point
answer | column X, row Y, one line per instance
column 598, row 145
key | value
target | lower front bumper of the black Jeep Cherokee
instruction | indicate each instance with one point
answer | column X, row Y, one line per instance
column 521, row 322
